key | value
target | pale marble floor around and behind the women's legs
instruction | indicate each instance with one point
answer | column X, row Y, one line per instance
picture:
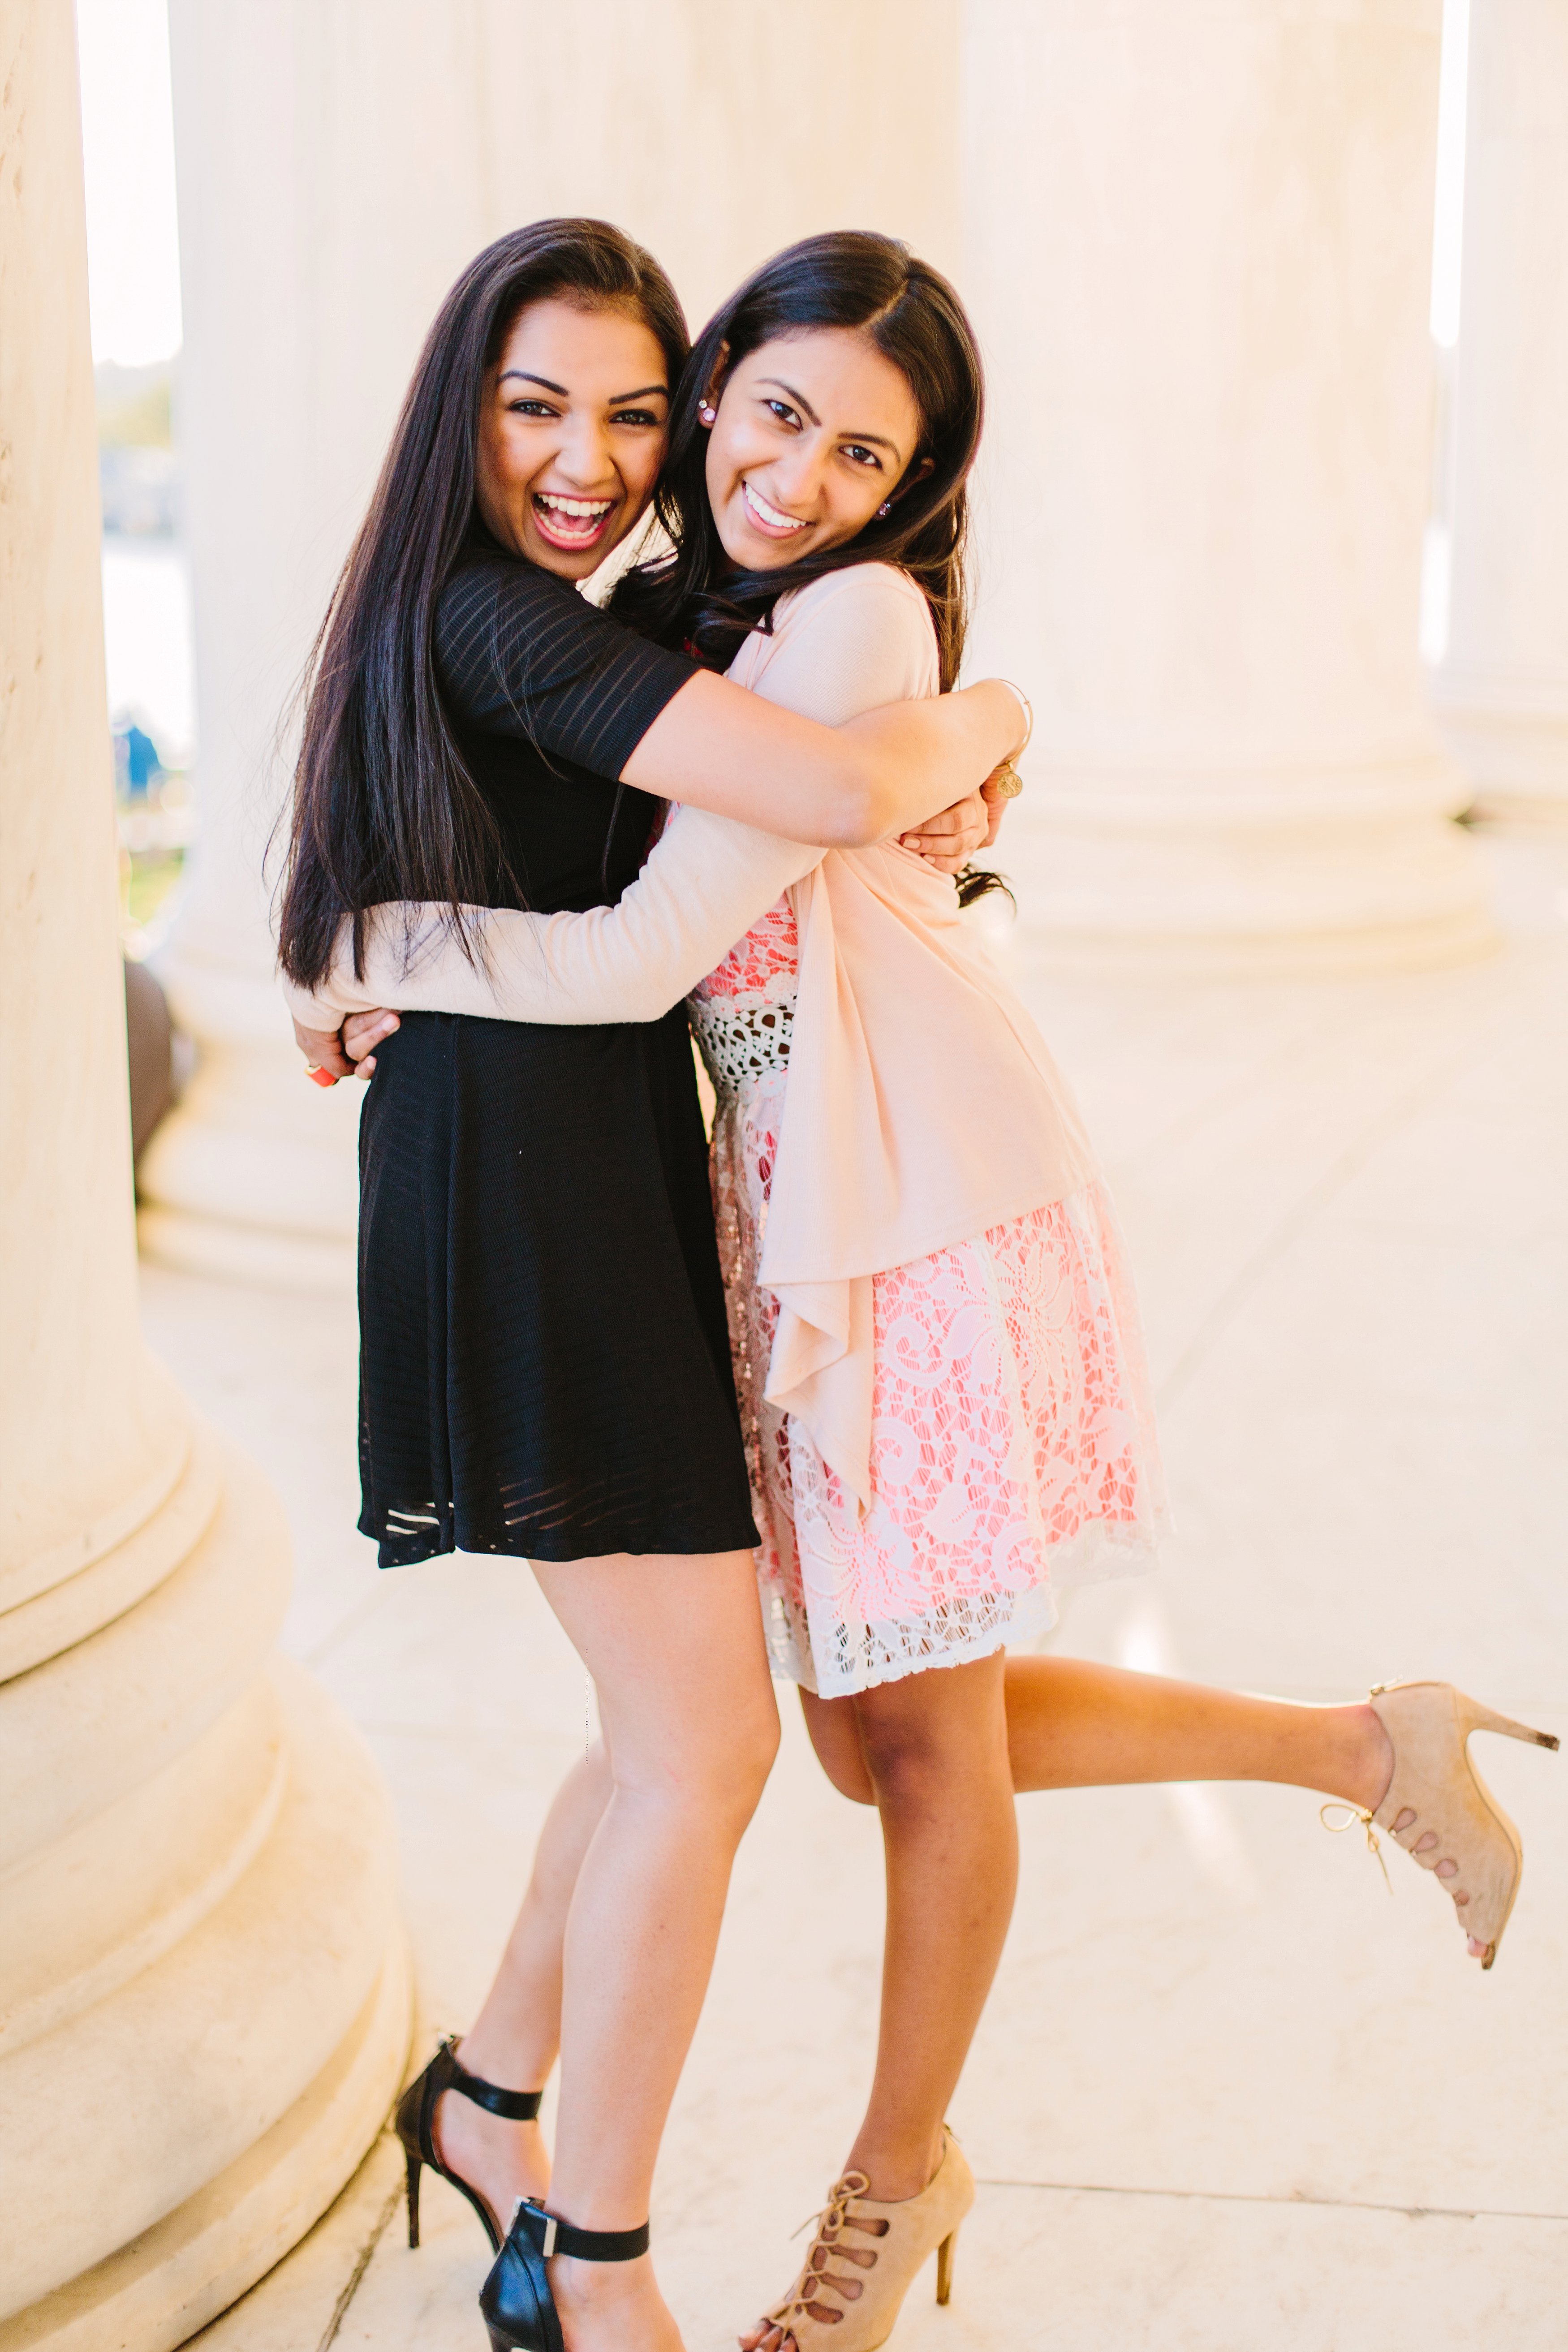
column 1228, row 2092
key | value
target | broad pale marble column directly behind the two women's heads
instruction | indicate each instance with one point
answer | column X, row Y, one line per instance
column 335, row 173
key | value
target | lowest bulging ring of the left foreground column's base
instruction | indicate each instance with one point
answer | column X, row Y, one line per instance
column 210, row 2109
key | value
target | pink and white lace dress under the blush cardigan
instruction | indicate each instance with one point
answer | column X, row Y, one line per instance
column 1012, row 1426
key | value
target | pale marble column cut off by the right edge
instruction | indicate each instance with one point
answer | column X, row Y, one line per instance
column 1501, row 686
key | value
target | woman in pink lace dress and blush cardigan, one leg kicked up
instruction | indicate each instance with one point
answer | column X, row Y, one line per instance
column 932, row 1325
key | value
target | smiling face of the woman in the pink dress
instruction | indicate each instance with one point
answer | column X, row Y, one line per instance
column 812, row 434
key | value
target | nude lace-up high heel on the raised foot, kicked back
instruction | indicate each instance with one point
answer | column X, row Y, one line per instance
column 1440, row 1808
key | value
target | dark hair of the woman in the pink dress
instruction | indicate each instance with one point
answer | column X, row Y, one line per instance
column 878, row 288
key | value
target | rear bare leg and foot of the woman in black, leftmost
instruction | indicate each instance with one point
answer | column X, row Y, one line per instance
column 516, row 2038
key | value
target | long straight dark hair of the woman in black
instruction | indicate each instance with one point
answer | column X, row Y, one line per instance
column 384, row 806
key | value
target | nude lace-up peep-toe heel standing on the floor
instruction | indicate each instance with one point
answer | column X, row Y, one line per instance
column 862, row 2273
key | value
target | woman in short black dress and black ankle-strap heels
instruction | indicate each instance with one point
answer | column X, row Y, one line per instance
column 544, row 1344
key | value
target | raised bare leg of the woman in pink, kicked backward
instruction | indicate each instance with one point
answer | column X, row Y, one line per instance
column 1080, row 1725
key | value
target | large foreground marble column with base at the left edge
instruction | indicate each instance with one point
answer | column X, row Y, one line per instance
column 203, row 1986
